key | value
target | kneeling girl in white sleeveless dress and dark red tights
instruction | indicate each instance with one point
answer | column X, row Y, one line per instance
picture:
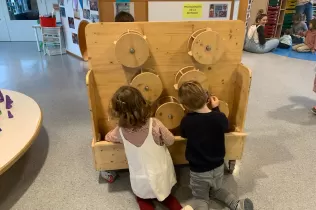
column 145, row 139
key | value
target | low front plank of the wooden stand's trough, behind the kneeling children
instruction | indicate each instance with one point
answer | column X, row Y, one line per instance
column 111, row 156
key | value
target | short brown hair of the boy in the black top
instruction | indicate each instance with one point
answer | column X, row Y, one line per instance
column 192, row 95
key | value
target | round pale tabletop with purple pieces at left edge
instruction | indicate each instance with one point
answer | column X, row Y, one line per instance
column 19, row 132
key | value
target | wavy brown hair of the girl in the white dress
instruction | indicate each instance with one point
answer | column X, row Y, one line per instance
column 130, row 107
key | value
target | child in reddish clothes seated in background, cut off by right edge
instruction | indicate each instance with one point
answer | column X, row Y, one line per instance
column 310, row 40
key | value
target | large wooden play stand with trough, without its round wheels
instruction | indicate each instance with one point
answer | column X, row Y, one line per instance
column 229, row 79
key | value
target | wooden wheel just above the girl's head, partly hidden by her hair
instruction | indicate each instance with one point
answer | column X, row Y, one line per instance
column 149, row 84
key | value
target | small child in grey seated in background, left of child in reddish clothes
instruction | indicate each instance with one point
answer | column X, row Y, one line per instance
column 298, row 29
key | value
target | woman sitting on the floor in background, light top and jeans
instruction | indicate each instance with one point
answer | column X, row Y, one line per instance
column 255, row 41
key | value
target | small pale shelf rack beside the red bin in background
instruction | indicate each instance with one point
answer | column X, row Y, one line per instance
column 53, row 41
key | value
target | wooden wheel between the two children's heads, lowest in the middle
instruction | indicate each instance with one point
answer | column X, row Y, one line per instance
column 170, row 112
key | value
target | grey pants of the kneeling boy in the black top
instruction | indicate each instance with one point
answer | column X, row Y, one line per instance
column 207, row 185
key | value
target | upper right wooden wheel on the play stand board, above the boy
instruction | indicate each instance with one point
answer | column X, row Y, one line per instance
column 206, row 46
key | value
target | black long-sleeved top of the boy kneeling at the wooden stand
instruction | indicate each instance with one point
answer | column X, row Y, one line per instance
column 205, row 134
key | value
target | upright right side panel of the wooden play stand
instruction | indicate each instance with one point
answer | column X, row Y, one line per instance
column 242, row 88
